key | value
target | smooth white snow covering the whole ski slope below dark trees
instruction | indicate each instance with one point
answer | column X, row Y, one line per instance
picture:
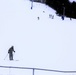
column 44, row 42
